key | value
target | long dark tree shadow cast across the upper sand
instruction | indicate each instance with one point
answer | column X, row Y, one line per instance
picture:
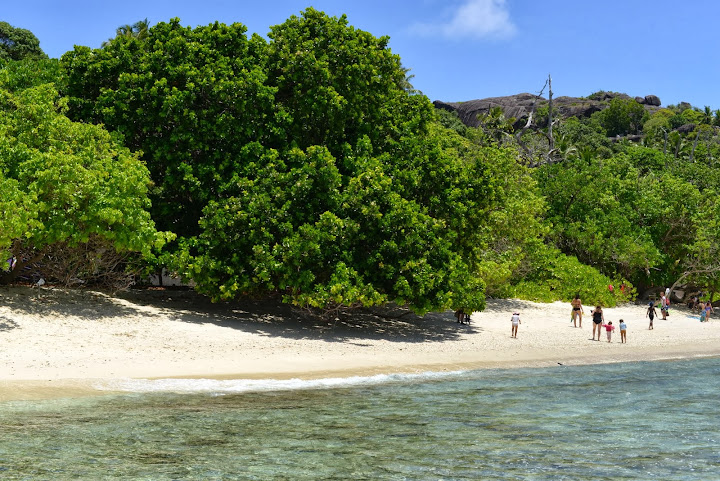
column 263, row 317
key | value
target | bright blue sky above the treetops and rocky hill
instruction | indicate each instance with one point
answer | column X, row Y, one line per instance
column 460, row 49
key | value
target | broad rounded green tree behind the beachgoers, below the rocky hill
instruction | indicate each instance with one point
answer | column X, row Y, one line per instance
column 627, row 215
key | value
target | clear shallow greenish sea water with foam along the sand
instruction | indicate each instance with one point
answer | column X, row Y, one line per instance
column 653, row 420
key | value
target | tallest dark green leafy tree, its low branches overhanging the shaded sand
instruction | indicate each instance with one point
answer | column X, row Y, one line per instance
column 359, row 203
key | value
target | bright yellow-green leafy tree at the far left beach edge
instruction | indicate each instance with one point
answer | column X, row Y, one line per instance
column 66, row 186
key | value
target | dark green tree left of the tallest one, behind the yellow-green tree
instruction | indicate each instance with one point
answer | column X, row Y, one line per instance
column 189, row 99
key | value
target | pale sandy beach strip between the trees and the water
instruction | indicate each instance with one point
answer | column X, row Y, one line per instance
column 55, row 342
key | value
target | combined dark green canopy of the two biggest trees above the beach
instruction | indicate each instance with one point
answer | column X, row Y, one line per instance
column 300, row 166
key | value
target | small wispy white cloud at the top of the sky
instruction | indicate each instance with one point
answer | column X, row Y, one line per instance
column 473, row 18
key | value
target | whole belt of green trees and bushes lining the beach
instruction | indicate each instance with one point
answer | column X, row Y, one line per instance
column 306, row 166
